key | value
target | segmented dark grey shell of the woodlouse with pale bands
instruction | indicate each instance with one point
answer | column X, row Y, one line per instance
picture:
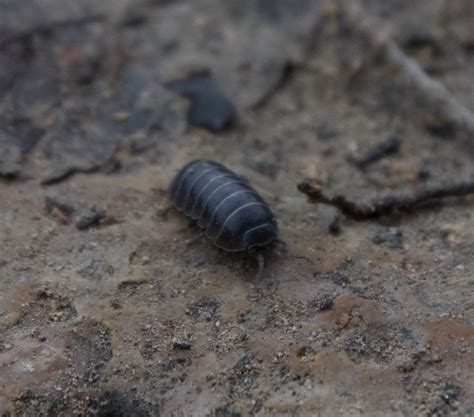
column 233, row 215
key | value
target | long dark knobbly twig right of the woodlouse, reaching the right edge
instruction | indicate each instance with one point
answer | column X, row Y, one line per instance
column 385, row 205
